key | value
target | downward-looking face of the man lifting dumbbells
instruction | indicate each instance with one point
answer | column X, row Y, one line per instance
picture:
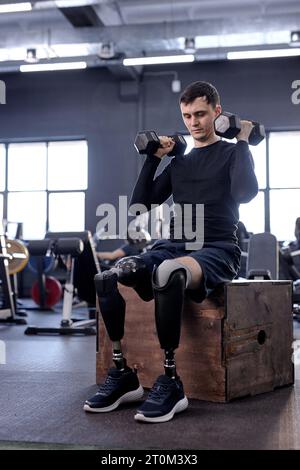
column 198, row 118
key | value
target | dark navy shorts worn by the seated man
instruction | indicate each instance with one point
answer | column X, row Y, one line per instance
column 219, row 261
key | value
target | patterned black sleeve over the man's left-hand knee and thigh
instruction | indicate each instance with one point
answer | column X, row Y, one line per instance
column 132, row 272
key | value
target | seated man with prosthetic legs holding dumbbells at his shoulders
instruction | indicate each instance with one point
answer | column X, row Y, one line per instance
column 220, row 176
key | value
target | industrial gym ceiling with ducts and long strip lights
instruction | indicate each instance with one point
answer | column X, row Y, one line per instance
column 104, row 32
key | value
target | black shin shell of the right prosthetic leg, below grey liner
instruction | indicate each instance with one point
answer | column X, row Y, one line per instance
column 168, row 308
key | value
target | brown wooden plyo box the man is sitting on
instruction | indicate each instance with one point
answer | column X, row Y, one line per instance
column 232, row 348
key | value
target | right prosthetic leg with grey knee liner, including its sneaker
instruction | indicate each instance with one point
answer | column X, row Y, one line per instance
column 166, row 397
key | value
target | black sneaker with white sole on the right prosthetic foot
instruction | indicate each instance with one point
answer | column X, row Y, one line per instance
column 165, row 398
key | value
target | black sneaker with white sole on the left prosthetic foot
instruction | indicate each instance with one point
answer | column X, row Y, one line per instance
column 119, row 387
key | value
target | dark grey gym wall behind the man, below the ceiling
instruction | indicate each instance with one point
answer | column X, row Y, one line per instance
column 89, row 104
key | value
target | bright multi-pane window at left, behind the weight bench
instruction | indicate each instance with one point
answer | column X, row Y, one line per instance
column 44, row 186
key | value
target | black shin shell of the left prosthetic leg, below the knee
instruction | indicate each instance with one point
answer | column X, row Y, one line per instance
column 111, row 303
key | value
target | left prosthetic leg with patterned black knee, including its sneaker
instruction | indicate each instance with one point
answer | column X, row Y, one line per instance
column 121, row 384
